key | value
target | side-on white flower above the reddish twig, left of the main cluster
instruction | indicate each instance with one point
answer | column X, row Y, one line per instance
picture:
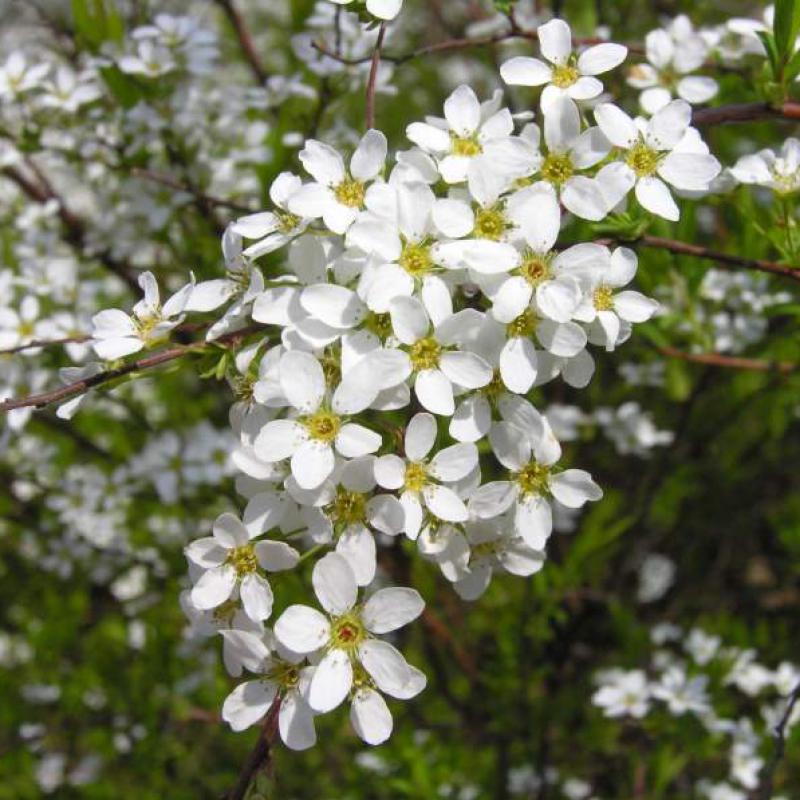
column 116, row 334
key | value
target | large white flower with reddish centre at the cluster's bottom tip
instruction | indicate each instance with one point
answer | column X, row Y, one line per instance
column 352, row 657
